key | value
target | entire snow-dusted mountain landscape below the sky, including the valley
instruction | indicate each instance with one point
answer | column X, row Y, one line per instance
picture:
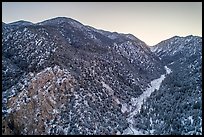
column 62, row 77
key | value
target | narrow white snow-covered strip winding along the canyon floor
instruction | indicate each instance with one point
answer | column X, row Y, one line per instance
column 137, row 103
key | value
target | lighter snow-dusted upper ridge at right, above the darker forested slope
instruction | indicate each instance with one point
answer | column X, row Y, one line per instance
column 178, row 48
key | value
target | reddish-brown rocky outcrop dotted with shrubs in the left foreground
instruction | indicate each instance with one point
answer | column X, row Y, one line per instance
column 35, row 108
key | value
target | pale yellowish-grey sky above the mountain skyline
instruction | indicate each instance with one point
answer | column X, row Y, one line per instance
column 151, row 22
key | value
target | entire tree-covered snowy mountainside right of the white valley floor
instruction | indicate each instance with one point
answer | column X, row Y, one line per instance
column 176, row 108
